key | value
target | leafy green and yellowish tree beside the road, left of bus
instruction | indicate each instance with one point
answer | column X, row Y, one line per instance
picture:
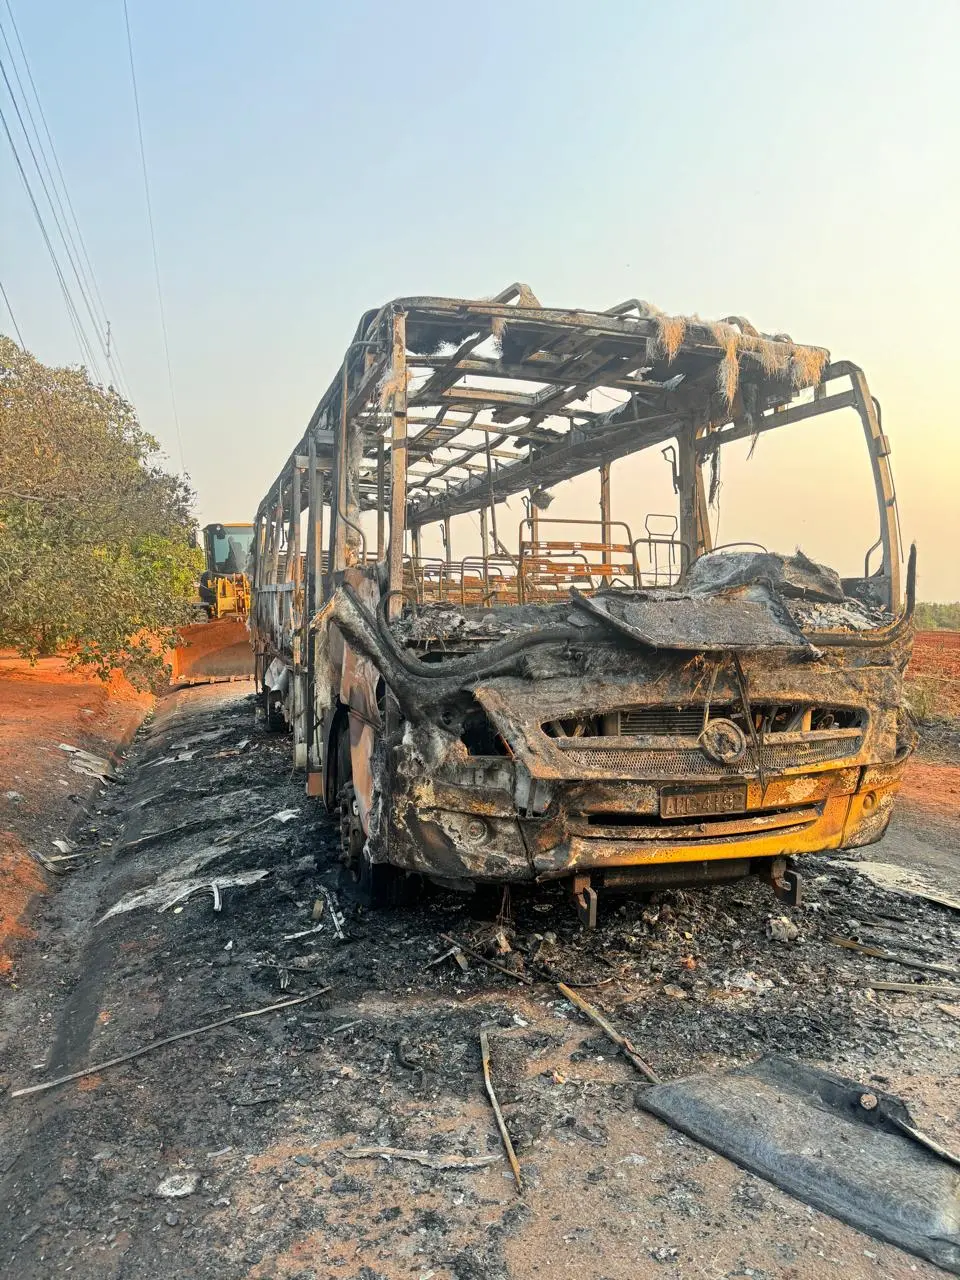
column 97, row 555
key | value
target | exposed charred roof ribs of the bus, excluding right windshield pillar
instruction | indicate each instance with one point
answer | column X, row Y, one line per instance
column 519, row 381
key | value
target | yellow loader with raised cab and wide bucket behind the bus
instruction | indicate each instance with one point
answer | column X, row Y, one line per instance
column 218, row 648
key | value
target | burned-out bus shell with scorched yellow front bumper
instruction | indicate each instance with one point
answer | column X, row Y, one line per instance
column 607, row 702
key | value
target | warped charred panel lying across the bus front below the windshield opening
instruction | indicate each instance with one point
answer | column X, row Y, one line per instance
column 743, row 619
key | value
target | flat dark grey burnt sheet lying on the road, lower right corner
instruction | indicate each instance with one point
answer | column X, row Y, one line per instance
column 834, row 1144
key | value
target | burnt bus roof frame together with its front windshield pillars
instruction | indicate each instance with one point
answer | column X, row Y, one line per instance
column 464, row 403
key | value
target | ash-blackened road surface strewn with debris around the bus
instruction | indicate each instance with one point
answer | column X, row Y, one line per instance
column 257, row 1121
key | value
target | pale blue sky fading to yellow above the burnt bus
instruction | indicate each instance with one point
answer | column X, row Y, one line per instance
column 308, row 161
